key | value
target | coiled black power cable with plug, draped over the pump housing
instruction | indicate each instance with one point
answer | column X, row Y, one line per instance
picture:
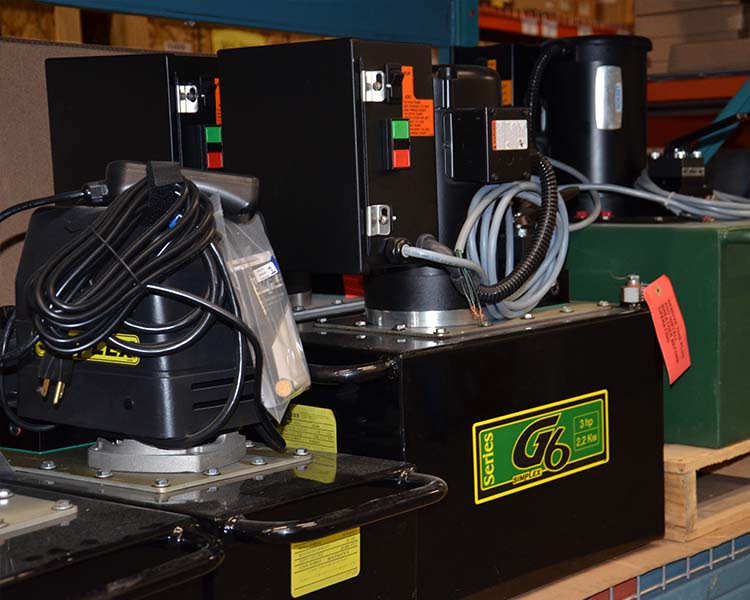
column 85, row 293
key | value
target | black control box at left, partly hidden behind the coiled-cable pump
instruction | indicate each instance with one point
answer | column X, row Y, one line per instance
column 136, row 107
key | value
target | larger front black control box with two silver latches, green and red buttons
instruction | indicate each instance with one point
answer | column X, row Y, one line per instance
column 341, row 135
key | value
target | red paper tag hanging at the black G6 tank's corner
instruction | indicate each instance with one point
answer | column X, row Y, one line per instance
column 669, row 325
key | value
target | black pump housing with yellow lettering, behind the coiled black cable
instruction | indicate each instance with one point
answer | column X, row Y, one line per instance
column 111, row 393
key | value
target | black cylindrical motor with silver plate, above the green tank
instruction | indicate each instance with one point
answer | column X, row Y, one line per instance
column 594, row 99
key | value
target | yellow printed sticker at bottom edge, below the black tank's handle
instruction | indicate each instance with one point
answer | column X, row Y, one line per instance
column 324, row 562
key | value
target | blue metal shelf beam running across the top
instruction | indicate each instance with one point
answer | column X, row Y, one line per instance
column 440, row 23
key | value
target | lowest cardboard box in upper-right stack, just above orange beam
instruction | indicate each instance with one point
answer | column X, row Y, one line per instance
column 727, row 55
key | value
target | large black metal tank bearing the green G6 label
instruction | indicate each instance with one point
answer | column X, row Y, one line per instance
column 548, row 433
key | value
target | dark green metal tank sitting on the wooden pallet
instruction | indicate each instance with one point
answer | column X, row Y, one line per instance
column 709, row 265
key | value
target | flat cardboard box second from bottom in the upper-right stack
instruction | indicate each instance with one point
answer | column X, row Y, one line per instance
column 689, row 22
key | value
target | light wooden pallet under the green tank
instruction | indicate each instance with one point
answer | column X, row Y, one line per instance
column 705, row 488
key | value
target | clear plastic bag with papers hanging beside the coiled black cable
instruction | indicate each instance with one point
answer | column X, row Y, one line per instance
column 264, row 302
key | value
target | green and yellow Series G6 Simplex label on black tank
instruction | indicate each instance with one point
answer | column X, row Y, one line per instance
column 531, row 447
